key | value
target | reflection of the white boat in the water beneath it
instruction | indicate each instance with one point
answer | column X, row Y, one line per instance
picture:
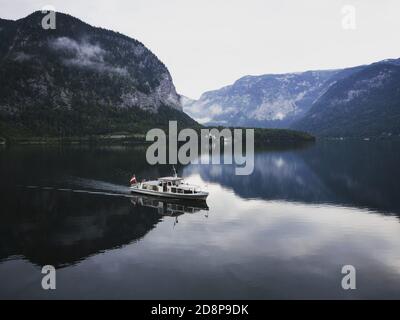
column 170, row 207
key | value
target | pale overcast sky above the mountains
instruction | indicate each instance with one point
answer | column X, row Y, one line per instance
column 207, row 44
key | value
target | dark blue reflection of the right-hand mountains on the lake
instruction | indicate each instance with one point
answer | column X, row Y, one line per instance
column 351, row 173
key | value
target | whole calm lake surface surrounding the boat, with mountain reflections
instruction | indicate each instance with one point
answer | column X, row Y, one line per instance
column 285, row 231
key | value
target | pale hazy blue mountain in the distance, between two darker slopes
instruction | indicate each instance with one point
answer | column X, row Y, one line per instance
column 273, row 100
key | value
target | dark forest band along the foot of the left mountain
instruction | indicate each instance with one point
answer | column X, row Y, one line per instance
column 89, row 120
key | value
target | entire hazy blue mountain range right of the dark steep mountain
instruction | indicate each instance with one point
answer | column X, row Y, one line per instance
column 311, row 101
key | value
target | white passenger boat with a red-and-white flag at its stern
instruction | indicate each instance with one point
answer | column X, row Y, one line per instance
column 168, row 187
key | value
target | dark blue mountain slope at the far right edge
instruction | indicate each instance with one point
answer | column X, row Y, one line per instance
column 364, row 104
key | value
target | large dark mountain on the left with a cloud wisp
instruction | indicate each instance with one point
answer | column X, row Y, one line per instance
column 78, row 80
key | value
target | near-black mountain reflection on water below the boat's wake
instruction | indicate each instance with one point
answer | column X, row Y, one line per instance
column 61, row 228
